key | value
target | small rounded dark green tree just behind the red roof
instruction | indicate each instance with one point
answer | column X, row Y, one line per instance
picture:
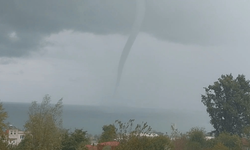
column 108, row 134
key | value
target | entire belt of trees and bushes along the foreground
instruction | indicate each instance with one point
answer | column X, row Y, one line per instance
column 227, row 102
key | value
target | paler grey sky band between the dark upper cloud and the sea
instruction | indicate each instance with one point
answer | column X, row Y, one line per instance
column 81, row 68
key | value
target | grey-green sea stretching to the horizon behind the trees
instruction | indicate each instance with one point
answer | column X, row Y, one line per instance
column 92, row 118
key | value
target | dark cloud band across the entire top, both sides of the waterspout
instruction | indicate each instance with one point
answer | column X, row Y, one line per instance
column 190, row 22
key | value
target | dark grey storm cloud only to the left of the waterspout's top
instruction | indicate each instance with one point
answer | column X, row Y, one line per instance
column 32, row 20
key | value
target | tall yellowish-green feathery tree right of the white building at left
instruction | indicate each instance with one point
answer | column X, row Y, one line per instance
column 43, row 129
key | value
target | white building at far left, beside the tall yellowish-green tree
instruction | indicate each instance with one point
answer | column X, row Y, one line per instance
column 15, row 135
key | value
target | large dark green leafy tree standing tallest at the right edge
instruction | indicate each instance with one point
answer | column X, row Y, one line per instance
column 228, row 104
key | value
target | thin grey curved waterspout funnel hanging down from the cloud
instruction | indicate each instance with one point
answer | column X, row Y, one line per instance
column 140, row 13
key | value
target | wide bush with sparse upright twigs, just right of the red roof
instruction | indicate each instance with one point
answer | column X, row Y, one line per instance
column 138, row 137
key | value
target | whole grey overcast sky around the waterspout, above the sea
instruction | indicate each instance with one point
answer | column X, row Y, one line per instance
column 71, row 49
